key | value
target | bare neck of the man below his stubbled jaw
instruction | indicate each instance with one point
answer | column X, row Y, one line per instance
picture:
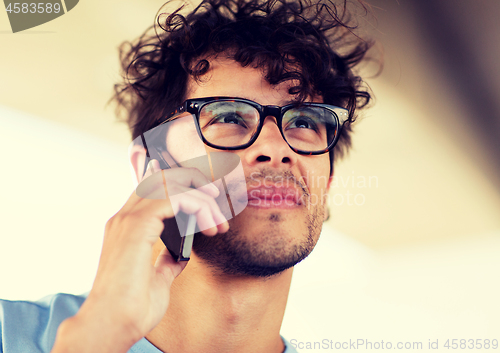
column 209, row 312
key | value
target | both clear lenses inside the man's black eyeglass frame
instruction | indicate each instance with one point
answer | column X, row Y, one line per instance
column 231, row 124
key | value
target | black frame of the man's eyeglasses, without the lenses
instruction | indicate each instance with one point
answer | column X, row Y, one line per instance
column 195, row 105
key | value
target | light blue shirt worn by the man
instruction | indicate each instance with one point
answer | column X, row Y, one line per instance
column 32, row 326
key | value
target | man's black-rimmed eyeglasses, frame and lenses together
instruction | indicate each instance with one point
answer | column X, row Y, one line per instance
column 235, row 123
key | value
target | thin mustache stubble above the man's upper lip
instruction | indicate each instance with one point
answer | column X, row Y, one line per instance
column 281, row 178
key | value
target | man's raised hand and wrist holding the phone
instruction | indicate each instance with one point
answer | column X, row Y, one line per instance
column 130, row 295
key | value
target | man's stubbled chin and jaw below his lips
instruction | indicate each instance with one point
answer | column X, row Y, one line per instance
column 274, row 246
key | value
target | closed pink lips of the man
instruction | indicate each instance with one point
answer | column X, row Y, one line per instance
column 273, row 197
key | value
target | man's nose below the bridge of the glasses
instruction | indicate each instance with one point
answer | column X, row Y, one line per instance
column 270, row 149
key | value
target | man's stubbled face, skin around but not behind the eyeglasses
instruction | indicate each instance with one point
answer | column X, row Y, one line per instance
column 286, row 208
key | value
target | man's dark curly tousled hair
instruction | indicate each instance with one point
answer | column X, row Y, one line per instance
column 310, row 42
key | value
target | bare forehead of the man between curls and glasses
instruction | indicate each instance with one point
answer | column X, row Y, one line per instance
column 227, row 77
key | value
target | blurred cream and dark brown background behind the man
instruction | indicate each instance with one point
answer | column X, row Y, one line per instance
column 411, row 252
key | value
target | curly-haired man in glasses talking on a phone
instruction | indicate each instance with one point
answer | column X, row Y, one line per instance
column 231, row 295
